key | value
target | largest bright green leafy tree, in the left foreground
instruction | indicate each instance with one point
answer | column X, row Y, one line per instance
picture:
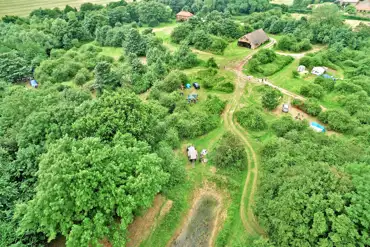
column 70, row 167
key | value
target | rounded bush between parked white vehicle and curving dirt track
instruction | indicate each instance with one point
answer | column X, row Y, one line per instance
column 230, row 152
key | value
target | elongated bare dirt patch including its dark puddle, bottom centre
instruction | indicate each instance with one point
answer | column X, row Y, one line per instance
column 194, row 232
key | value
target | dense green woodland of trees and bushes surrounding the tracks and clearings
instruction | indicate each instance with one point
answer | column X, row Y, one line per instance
column 81, row 155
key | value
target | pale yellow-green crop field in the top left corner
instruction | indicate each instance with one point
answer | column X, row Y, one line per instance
column 24, row 7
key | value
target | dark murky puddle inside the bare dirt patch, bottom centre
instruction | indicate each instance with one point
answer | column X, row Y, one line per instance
column 198, row 230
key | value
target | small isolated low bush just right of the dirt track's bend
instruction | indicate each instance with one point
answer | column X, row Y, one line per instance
column 251, row 118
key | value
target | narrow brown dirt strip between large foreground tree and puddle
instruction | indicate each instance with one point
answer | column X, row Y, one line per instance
column 141, row 227
